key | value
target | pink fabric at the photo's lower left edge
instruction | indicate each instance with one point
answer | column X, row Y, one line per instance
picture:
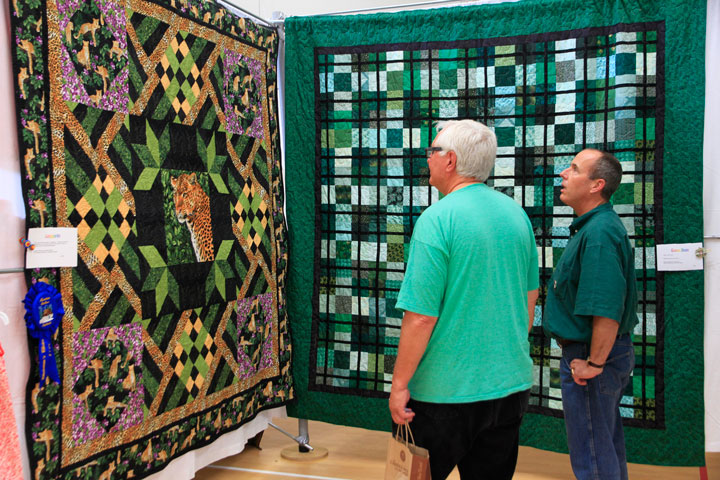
column 10, row 461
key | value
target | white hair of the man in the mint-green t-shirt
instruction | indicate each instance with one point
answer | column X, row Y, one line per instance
column 474, row 144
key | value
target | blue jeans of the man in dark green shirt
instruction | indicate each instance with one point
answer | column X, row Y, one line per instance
column 592, row 412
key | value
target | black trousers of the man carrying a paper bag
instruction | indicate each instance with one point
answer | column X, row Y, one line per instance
column 481, row 438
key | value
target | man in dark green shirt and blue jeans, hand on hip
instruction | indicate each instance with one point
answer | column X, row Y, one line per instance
column 590, row 311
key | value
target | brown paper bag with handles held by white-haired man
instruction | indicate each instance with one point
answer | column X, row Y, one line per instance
column 405, row 460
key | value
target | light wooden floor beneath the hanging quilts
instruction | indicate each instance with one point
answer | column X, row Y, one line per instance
column 359, row 454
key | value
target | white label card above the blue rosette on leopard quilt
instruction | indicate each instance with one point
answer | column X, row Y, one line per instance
column 52, row 247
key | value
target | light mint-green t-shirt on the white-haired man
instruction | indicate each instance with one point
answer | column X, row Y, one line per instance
column 472, row 261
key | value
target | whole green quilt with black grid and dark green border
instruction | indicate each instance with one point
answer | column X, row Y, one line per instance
column 363, row 95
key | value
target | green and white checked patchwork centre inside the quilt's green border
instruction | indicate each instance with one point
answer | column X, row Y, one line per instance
column 546, row 98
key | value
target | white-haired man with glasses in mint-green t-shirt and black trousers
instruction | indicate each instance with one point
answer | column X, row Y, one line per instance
column 463, row 369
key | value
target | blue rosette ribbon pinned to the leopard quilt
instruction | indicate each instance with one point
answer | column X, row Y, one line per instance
column 43, row 312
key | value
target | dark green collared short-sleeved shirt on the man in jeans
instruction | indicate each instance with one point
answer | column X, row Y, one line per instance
column 594, row 277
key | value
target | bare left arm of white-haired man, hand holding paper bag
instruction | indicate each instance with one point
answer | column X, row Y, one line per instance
column 414, row 337
